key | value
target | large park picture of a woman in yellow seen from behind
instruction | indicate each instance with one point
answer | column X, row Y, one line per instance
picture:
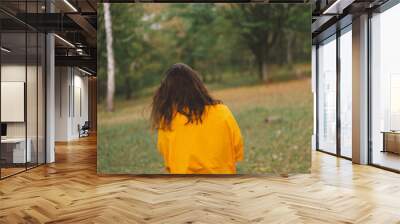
column 204, row 88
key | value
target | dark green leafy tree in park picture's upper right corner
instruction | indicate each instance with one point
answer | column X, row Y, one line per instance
column 270, row 31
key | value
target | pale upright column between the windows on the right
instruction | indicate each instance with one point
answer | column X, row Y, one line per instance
column 360, row 90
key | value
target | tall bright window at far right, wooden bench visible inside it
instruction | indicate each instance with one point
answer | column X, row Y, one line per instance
column 385, row 89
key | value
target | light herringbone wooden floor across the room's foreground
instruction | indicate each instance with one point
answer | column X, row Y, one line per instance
column 69, row 191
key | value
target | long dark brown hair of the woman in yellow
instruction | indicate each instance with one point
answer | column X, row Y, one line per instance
column 181, row 91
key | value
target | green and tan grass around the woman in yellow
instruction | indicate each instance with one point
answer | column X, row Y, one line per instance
column 281, row 145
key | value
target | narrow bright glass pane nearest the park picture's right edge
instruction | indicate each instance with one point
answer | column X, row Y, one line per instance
column 327, row 95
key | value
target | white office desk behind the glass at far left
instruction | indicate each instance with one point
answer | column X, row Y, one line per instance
column 17, row 151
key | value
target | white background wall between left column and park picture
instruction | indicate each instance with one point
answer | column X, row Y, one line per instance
column 71, row 94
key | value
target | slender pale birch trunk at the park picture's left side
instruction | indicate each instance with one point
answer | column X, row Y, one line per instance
column 110, row 59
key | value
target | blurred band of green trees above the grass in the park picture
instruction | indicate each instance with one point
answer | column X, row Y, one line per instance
column 215, row 39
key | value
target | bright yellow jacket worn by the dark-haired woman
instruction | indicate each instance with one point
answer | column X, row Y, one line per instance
column 211, row 147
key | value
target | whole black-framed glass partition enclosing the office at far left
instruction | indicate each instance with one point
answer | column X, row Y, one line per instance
column 22, row 101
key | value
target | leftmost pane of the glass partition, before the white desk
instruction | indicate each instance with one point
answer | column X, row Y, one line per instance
column 14, row 153
